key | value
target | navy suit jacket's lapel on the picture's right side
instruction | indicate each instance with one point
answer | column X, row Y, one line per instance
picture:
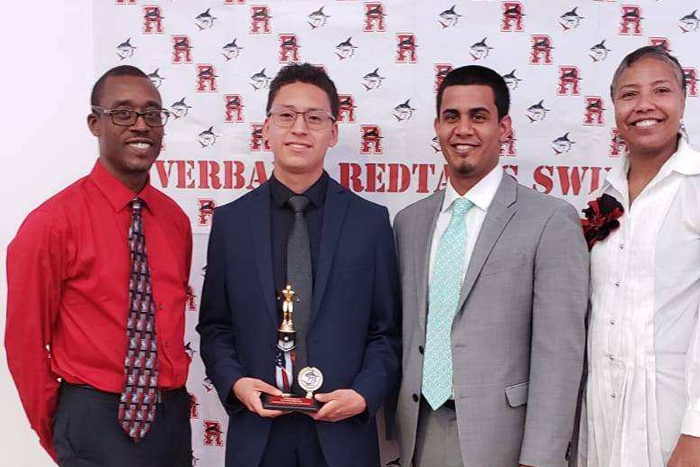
column 333, row 216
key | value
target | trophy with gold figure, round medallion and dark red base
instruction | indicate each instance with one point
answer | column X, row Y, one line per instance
column 309, row 379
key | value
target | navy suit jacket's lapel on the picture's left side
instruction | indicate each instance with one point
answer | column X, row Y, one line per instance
column 259, row 211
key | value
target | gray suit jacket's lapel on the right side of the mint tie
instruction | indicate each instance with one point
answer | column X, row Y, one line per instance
column 501, row 211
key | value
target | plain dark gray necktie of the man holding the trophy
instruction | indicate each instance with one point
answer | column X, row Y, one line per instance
column 300, row 278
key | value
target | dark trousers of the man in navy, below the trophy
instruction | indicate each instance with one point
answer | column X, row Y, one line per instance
column 293, row 442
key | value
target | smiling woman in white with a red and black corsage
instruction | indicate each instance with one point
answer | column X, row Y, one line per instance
column 642, row 404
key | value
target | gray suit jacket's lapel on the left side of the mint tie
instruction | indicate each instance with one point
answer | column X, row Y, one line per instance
column 425, row 227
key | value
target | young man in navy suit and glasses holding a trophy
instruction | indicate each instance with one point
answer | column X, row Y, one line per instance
column 349, row 329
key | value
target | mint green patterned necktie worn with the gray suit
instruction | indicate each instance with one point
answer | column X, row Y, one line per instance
column 445, row 286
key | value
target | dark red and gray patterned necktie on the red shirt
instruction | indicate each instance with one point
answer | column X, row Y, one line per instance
column 137, row 406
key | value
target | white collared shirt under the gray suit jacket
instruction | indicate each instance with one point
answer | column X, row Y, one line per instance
column 481, row 196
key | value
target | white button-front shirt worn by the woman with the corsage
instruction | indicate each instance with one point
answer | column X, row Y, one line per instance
column 644, row 341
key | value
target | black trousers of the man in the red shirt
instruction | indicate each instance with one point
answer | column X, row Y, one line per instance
column 87, row 432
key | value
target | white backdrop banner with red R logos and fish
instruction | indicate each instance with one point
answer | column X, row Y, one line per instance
column 213, row 61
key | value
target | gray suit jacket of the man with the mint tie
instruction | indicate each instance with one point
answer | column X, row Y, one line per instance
column 518, row 338
